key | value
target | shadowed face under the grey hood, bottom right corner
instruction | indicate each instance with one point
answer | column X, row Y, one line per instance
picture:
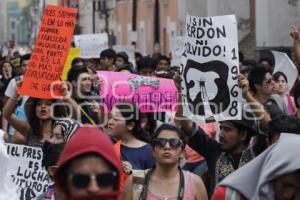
column 286, row 187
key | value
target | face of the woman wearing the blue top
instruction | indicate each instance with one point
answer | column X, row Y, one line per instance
column 116, row 123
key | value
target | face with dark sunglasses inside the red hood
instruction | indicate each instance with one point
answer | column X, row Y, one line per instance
column 89, row 176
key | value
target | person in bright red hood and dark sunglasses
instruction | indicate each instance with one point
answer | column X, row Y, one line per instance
column 88, row 167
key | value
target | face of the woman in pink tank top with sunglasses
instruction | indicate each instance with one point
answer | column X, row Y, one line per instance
column 168, row 148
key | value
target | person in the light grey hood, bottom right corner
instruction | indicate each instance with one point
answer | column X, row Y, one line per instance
column 275, row 174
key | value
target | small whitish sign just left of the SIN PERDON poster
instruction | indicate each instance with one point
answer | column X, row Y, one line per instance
column 177, row 49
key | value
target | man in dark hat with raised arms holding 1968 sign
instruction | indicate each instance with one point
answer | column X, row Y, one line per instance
column 233, row 151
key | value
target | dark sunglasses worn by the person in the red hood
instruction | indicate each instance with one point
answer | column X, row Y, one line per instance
column 81, row 181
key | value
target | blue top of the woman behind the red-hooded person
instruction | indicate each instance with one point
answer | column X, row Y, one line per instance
column 139, row 158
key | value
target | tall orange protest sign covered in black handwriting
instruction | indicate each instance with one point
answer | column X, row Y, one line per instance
column 50, row 53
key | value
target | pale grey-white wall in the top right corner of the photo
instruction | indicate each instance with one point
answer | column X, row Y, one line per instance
column 273, row 21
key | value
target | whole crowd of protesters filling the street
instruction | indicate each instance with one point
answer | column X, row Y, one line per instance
column 126, row 154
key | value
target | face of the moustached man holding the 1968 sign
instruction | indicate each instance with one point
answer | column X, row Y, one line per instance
column 230, row 139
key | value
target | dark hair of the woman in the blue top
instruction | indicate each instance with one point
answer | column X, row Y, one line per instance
column 131, row 113
